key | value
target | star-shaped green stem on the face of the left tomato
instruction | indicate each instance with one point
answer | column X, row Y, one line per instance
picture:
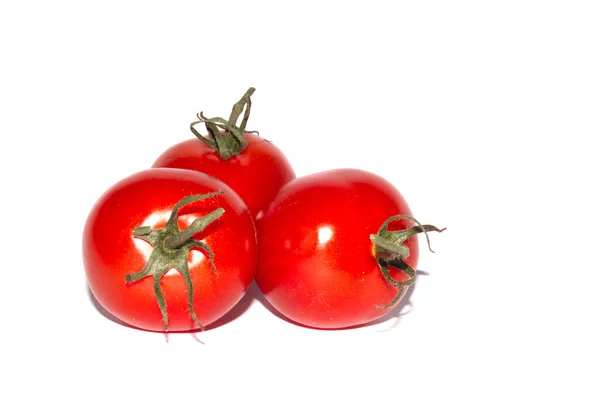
column 170, row 250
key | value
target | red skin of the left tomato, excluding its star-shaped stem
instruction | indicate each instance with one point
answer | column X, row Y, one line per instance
column 146, row 199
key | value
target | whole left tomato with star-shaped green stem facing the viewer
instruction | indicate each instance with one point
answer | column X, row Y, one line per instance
column 158, row 218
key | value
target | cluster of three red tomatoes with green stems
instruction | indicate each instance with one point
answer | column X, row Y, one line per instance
column 176, row 246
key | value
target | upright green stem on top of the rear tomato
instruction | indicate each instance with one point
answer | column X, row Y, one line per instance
column 224, row 135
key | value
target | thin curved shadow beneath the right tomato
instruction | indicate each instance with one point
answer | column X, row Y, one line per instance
column 395, row 313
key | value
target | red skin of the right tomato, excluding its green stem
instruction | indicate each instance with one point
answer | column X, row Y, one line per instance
column 316, row 264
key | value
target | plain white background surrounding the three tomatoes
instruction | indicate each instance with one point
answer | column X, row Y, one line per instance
column 484, row 114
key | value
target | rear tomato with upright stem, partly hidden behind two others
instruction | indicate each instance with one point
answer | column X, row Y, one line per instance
column 253, row 167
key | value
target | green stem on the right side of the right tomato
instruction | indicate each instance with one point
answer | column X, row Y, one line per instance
column 390, row 251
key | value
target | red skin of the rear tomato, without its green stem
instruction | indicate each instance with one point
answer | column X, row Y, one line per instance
column 256, row 174
